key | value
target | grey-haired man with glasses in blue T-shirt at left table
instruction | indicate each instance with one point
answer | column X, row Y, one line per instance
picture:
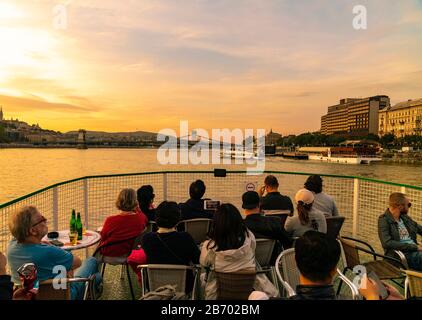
column 28, row 227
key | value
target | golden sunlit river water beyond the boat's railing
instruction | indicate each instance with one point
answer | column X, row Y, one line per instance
column 23, row 171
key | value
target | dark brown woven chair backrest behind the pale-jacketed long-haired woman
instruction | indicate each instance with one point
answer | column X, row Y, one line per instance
column 235, row 286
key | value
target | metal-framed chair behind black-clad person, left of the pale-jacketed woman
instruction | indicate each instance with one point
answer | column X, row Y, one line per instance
column 159, row 275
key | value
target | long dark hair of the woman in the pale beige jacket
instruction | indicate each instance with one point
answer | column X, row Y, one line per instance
column 228, row 230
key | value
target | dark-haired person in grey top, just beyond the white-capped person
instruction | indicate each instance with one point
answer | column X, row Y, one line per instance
column 323, row 202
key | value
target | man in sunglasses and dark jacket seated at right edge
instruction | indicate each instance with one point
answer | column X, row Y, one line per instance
column 397, row 231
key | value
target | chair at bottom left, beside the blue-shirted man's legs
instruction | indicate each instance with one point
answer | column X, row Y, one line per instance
column 47, row 291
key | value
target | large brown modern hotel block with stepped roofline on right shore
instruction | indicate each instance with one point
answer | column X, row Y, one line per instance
column 354, row 116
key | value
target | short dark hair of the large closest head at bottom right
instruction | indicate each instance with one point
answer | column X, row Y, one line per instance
column 316, row 255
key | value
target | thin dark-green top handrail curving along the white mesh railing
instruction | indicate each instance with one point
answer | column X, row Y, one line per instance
column 203, row 171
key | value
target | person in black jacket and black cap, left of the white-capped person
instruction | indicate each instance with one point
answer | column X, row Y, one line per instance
column 262, row 226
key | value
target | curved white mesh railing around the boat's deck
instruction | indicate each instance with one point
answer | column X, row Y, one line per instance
column 360, row 200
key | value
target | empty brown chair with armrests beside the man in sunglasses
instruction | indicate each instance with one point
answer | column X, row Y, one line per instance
column 383, row 268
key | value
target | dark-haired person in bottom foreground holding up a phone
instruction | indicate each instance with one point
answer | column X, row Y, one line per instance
column 317, row 256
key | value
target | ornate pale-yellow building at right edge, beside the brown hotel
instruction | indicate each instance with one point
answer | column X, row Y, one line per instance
column 402, row 119
